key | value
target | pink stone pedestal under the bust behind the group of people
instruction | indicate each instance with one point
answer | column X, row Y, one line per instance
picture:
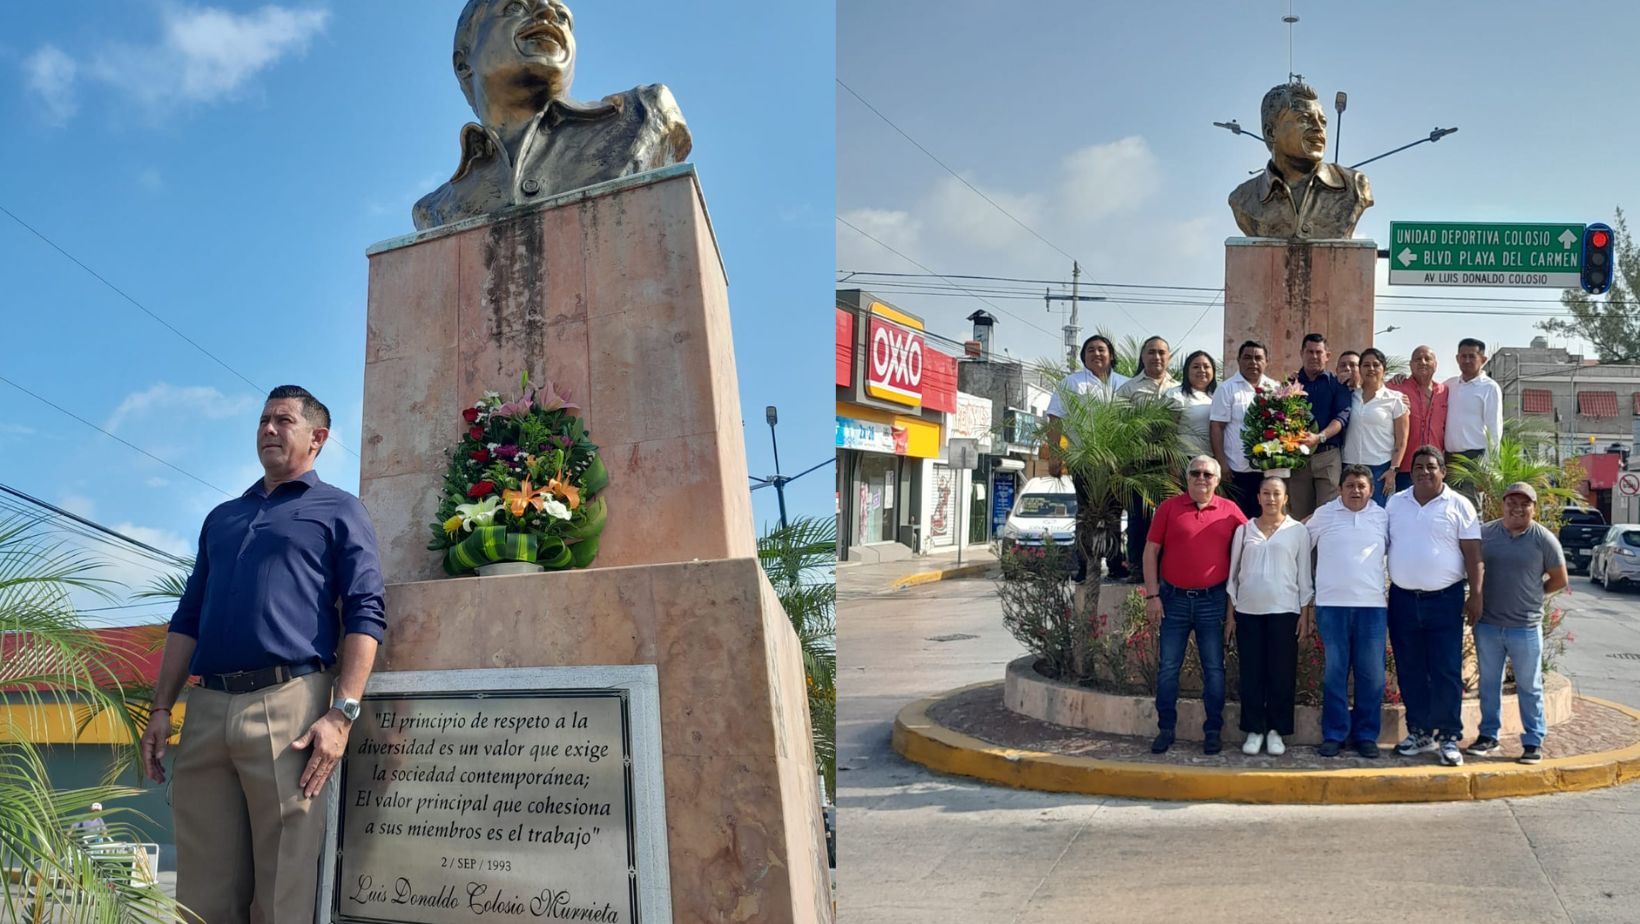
column 1278, row 291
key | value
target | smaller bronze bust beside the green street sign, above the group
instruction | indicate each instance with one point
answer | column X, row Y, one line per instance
column 1300, row 194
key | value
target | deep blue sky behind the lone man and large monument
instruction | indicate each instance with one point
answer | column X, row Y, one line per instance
column 227, row 165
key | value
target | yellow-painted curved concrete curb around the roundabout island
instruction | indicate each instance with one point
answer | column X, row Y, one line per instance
column 922, row 741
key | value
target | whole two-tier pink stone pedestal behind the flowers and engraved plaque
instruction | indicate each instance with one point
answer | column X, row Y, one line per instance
column 616, row 293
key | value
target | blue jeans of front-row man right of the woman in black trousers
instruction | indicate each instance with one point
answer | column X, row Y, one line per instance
column 1354, row 641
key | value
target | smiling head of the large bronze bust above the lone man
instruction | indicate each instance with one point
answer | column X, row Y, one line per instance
column 514, row 57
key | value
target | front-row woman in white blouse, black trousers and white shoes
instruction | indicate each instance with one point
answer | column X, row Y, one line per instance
column 1270, row 583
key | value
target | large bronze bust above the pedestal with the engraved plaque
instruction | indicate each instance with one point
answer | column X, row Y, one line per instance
column 516, row 62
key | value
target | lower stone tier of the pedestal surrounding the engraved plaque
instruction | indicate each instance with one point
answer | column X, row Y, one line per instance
column 742, row 794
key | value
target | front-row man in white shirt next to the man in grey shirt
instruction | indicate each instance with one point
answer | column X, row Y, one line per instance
column 1434, row 549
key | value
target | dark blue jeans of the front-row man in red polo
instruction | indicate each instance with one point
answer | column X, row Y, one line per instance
column 1183, row 613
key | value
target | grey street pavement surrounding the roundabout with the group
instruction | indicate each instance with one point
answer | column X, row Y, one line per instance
column 916, row 846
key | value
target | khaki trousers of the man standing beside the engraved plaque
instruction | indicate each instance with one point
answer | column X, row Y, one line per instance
column 248, row 843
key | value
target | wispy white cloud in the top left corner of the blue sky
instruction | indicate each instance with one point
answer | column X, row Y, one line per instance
column 204, row 55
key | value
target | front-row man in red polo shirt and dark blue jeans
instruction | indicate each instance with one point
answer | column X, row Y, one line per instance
column 1187, row 567
